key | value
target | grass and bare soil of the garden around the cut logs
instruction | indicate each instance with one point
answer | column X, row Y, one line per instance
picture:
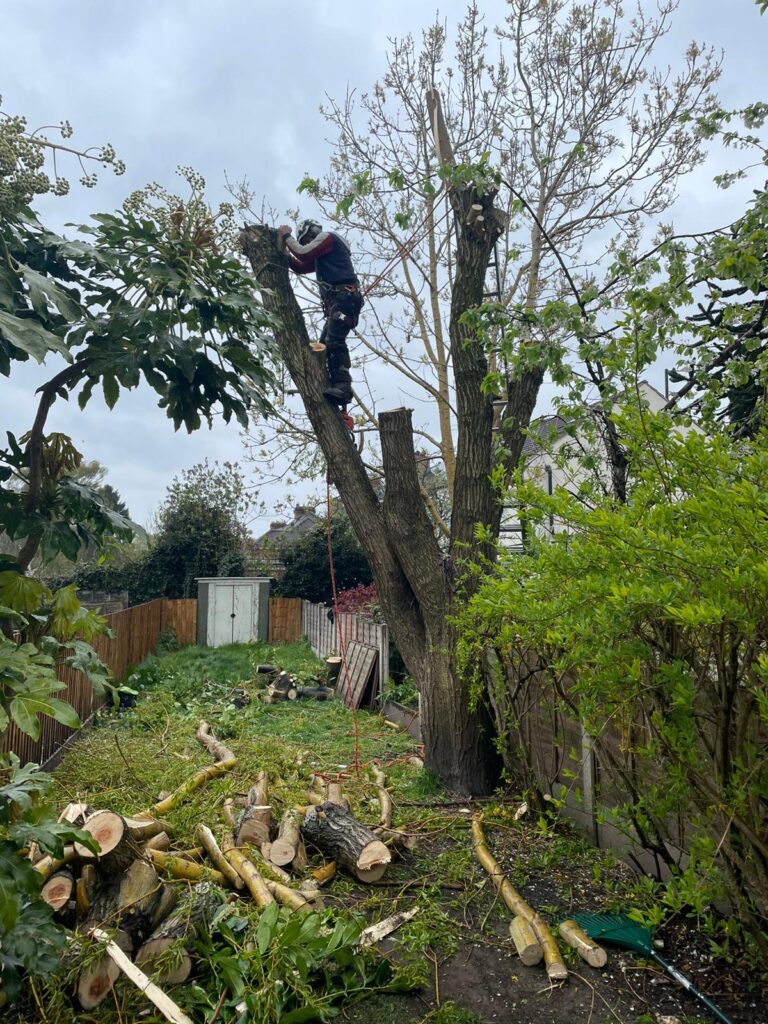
column 455, row 957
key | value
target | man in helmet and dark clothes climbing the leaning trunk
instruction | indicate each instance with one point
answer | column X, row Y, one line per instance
column 328, row 254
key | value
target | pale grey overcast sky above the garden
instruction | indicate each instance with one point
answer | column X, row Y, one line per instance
column 234, row 87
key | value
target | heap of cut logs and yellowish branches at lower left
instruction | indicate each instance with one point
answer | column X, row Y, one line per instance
column 125, row 886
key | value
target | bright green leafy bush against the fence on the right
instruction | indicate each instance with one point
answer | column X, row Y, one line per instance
column 648, row 623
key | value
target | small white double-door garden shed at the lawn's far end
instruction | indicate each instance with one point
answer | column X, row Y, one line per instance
column 233, row 610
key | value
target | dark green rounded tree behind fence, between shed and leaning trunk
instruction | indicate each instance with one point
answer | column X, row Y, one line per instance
column 308, row 570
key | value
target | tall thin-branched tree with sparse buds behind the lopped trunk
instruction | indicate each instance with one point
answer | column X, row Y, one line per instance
column 590, row 146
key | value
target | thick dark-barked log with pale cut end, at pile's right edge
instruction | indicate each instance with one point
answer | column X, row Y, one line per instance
column 334, row 832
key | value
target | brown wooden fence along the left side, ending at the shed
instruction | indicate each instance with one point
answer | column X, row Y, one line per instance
column 137, row 631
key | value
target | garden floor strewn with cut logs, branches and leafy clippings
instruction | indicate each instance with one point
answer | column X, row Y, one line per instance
column 246, row 868
